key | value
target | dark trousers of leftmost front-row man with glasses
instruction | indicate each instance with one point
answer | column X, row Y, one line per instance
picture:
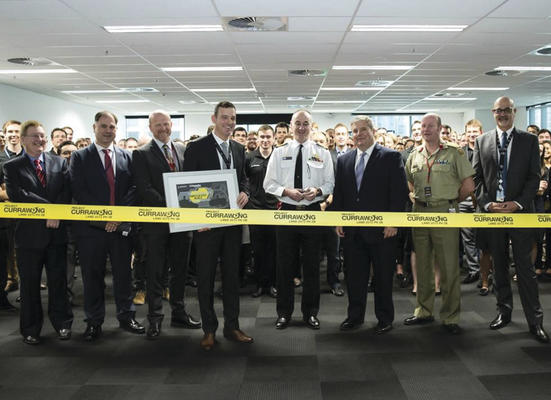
column 30, row 262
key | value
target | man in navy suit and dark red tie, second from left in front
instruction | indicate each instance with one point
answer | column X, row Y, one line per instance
column 101, row 175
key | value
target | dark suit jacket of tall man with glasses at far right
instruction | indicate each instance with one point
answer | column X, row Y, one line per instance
column 523, row 169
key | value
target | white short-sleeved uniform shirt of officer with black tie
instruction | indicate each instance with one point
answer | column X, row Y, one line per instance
column 317, row 171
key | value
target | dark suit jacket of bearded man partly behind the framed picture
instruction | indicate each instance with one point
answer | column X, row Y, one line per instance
column 148, row 166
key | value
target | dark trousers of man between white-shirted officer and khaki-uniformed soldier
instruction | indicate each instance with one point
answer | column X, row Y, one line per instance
column 360, row 256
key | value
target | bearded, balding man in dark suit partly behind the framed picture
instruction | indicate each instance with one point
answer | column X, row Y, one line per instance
column 149, row 163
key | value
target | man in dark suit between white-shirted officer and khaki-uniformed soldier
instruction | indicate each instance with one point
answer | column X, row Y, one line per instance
column 358, row 173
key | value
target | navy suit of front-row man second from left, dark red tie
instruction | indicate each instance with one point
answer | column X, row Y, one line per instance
column 89, row 186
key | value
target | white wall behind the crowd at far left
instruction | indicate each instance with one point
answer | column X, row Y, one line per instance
column 24, row 105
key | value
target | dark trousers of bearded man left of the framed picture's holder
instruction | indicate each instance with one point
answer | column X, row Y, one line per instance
column 173, row 248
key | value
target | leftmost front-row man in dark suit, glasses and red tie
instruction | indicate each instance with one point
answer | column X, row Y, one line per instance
column 39, row 177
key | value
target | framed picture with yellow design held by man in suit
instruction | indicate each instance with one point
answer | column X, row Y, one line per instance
column 200, row 189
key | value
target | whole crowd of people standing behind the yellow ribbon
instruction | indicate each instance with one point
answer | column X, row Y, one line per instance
column 292, row 166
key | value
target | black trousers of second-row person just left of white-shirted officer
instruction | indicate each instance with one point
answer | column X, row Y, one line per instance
column 263, row 240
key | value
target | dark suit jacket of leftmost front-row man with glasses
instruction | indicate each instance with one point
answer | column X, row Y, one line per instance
column 23, row 186
